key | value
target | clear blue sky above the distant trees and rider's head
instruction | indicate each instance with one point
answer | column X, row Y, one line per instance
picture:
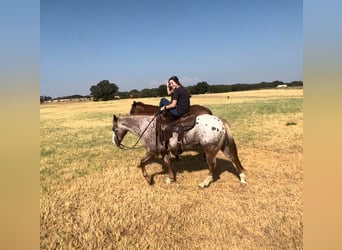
column 140, row 44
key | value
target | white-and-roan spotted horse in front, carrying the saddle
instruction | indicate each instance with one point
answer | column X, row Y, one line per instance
column 209, row 131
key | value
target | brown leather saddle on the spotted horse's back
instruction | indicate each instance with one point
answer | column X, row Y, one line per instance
column 166, row 125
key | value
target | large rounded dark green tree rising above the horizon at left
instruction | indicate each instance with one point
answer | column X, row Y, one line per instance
column 104, row 90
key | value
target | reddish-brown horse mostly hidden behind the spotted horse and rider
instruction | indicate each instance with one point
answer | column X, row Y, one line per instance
column 140, row 108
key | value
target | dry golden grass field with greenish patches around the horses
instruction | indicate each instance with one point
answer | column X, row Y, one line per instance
column 93, row 196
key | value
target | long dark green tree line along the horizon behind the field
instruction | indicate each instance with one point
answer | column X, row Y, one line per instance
column 105, row 90
